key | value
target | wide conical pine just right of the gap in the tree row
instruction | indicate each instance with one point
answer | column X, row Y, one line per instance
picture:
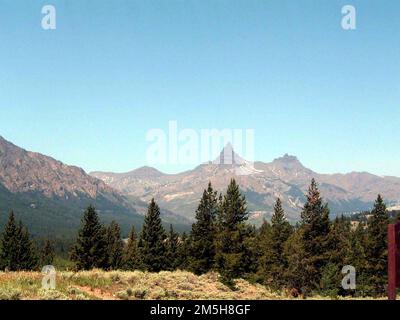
column 90, row 249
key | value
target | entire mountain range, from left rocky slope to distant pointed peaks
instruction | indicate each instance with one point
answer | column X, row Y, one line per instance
column 50, row 196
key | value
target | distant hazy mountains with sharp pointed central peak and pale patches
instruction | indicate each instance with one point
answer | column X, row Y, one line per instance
column 262, row 183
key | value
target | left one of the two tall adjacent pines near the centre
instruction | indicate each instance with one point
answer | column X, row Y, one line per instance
column 202, row 250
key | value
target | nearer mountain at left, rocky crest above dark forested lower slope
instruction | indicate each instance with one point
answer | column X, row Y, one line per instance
column 50, row 196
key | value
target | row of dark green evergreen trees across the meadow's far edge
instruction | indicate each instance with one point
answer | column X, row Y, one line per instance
column 306, row 258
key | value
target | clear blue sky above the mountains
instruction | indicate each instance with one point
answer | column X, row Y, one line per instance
column 87, row 92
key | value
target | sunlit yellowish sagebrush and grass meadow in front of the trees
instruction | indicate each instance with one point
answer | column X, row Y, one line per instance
column 135, row 285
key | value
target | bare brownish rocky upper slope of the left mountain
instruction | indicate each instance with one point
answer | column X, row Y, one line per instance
column 24, row 171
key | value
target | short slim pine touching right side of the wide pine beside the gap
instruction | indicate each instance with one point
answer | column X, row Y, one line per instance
column 114, row 246
